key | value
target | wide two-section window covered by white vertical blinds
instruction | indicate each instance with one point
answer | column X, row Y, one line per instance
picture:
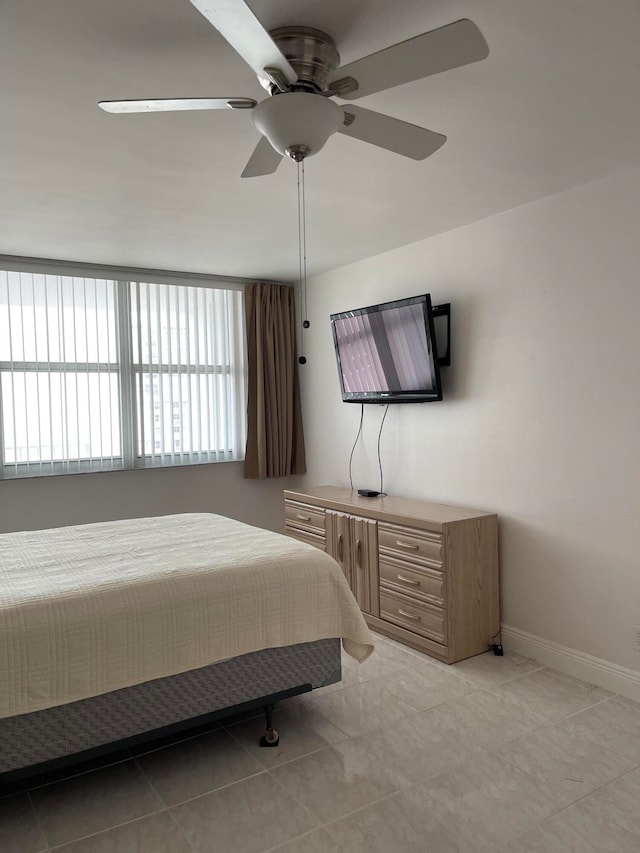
column 102, row 374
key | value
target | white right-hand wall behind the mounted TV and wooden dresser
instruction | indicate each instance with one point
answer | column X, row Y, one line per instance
column 541, row 418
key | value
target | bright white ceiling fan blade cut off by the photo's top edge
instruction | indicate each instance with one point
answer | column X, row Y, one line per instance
column 235, row 21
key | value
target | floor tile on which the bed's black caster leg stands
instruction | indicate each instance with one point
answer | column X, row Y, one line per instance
column 302, row 730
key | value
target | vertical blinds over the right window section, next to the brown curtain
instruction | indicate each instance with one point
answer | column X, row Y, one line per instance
column 188, row 363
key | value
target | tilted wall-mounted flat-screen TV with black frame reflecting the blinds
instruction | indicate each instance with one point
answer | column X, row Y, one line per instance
column 387, row 353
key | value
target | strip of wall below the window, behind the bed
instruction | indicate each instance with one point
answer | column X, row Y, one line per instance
column 80, row 498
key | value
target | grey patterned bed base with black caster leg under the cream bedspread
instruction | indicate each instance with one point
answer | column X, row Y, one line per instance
column 45, row 742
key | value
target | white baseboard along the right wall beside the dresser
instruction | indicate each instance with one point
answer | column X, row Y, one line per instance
column 596, row 671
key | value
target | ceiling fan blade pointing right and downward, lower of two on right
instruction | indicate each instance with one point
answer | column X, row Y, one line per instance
column 391, row 133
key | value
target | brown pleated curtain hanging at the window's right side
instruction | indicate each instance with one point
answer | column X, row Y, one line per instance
column 275, row 440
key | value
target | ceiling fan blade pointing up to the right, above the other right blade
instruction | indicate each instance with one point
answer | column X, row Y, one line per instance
column 451, row 46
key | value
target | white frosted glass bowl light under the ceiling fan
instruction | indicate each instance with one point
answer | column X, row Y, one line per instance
column 296, row 119
